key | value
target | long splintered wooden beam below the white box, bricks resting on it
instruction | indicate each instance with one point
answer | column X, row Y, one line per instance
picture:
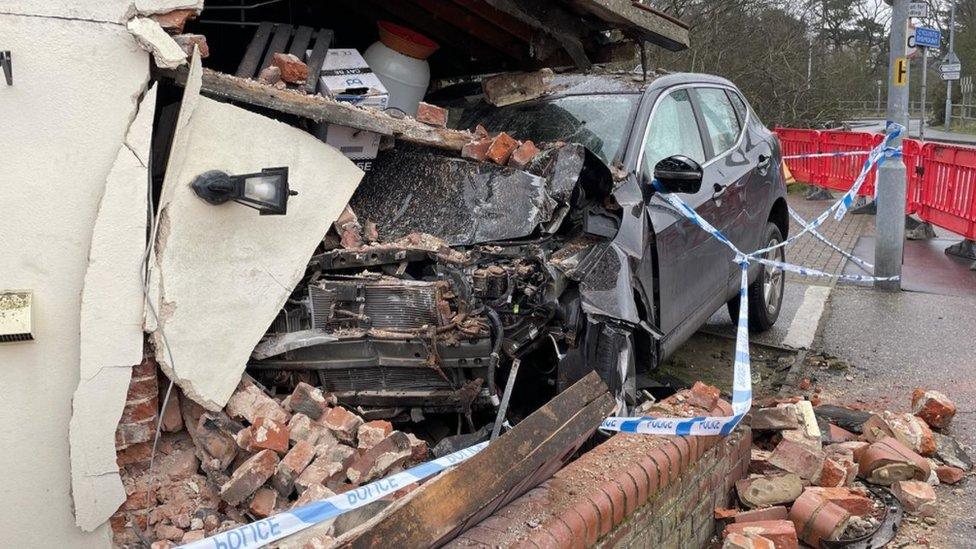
column 322, row 109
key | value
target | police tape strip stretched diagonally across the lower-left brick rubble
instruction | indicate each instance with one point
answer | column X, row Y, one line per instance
column 276, row 527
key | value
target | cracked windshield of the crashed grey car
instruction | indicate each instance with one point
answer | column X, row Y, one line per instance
column 598, row 122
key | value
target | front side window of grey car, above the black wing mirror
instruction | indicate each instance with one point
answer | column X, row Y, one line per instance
column 672, row 130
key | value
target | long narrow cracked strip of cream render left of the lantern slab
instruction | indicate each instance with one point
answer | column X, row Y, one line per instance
column 111, row 325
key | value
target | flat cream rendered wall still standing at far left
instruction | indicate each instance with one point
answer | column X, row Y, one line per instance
column 76, row 84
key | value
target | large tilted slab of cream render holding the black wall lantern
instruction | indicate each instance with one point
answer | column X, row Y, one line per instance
column 221, row 274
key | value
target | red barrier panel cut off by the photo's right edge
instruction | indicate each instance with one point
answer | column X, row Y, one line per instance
column 948, row 189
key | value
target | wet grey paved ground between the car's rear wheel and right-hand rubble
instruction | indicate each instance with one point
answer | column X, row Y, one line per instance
column 894, row 342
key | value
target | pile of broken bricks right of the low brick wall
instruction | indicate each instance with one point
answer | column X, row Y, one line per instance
column 833, row 474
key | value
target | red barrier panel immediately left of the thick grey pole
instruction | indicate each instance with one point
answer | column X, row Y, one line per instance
column 839, row 173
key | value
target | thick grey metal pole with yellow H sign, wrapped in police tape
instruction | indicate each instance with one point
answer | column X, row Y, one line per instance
column 890, row 219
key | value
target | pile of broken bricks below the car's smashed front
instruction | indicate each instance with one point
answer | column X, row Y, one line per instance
column 261, row 455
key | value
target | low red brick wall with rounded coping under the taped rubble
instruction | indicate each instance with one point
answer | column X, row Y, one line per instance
column 632, row 490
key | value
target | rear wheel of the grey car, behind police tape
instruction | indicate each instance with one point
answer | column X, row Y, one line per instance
column 765, row 294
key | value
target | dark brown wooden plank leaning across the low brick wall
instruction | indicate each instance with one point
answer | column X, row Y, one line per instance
column 458, row 498
